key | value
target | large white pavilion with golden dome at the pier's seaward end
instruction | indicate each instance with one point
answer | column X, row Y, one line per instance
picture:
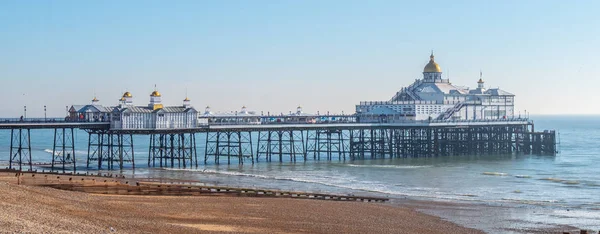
column 435, row 98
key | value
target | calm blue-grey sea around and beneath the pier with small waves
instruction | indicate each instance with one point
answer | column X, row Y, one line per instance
column 494, row 193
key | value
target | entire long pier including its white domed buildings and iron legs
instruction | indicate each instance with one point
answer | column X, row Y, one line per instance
column 429, row 118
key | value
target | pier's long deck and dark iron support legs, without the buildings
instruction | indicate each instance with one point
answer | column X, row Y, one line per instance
column 294, row 142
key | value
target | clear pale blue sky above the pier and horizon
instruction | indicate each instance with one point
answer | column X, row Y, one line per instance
column 272, row 56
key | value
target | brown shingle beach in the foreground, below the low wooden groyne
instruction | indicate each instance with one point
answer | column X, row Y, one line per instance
column 25, row 208
